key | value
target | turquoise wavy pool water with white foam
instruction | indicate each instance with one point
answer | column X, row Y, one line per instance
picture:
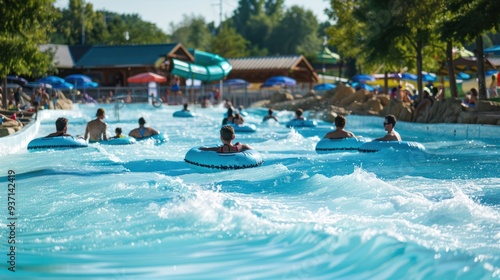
column 141, row 212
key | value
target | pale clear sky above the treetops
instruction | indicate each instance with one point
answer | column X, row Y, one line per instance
column 163, row 12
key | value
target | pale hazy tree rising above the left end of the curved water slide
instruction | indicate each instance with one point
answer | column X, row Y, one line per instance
column 192, row 32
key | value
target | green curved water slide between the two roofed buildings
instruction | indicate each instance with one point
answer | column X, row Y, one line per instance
column 207, row 67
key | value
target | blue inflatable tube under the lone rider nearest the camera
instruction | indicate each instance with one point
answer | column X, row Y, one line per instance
column 223, row 161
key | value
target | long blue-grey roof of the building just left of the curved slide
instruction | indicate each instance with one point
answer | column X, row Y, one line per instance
column 125, row 56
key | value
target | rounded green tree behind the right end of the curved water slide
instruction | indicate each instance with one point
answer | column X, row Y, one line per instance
column 228, row 43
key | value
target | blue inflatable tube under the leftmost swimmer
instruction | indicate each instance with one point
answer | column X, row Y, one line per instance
column 57, row 143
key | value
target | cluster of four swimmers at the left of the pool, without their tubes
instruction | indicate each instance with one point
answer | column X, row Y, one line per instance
column 96, row 129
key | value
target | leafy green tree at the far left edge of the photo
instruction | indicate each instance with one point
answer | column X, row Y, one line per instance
column 24, row 26
